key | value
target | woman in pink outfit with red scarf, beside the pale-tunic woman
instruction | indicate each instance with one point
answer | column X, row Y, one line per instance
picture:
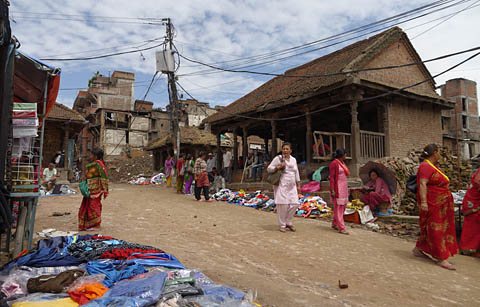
column 339, row 189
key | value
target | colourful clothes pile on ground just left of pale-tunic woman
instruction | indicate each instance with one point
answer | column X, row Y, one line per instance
column 256, row 200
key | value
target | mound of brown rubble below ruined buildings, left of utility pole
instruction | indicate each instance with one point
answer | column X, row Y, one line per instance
column 123, row 169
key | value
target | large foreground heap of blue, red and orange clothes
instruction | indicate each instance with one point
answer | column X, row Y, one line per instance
column 95, row 270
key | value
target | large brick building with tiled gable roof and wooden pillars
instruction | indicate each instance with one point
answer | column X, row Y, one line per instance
column 372, row 114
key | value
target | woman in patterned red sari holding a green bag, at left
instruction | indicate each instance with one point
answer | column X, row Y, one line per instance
column 90, row 213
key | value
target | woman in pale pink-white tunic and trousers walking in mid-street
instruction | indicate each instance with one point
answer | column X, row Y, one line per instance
column 286, row 193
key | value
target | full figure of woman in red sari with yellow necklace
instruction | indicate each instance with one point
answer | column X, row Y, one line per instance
column 437, row 217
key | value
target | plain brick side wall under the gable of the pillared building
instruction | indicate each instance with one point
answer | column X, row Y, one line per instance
column 412, row 125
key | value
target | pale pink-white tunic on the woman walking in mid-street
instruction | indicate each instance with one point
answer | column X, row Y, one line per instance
column 286, row 192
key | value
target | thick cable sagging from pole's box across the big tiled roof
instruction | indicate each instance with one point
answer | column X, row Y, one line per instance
column 336, row 73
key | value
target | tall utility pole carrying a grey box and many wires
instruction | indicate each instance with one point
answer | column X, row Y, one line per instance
column 173, row 96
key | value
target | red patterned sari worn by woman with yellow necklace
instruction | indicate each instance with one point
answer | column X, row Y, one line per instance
column 437, row 225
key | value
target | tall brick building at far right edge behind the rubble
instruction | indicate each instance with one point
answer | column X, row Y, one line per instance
column 462, row 122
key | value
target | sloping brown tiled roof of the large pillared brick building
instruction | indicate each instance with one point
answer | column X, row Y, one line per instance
column 290, row 89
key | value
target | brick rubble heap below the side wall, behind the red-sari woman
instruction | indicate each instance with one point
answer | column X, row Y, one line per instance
column 404, row 201
